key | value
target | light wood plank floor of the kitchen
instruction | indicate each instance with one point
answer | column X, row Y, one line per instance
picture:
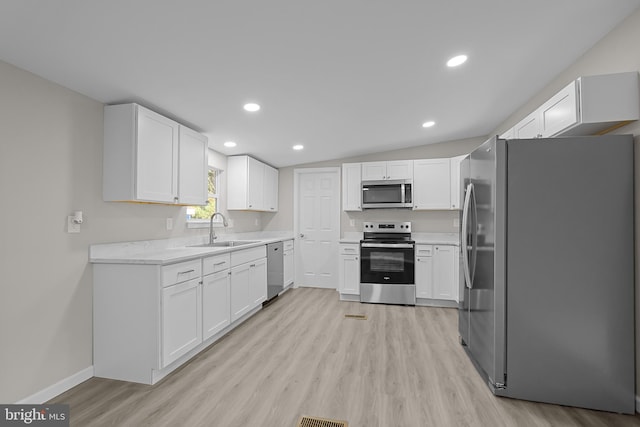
column 300, row 356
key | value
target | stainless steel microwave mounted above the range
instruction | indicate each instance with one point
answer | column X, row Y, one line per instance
column 387, row 194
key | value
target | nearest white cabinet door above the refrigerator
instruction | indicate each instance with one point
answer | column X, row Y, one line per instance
column 560, row 112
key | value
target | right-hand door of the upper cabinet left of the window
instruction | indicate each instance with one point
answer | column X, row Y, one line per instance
column 192, row 179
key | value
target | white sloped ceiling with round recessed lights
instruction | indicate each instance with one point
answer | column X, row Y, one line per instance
column 341, row 77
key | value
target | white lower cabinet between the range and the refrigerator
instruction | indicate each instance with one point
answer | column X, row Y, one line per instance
column 437, row 273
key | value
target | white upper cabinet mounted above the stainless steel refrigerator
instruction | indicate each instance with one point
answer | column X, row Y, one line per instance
column 586, row 106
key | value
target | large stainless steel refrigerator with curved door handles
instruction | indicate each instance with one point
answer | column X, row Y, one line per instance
column 547, row 266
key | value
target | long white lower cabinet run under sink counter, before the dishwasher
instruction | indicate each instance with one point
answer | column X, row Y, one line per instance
column 148, row 319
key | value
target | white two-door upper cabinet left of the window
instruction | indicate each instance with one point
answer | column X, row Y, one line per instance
column 141, row 158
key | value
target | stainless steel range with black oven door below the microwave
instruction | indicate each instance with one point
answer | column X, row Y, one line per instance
column 387, row 271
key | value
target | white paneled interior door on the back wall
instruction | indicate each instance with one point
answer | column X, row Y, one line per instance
column 317, row 226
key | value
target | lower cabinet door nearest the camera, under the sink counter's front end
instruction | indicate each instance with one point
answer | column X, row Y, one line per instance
column 181, row 320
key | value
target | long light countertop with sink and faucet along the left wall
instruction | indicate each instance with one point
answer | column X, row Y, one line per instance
column 169, row 251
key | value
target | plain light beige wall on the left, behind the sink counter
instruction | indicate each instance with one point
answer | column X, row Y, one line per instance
column 51, row 165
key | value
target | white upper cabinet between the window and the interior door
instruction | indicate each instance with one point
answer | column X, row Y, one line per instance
column 252, row 185
